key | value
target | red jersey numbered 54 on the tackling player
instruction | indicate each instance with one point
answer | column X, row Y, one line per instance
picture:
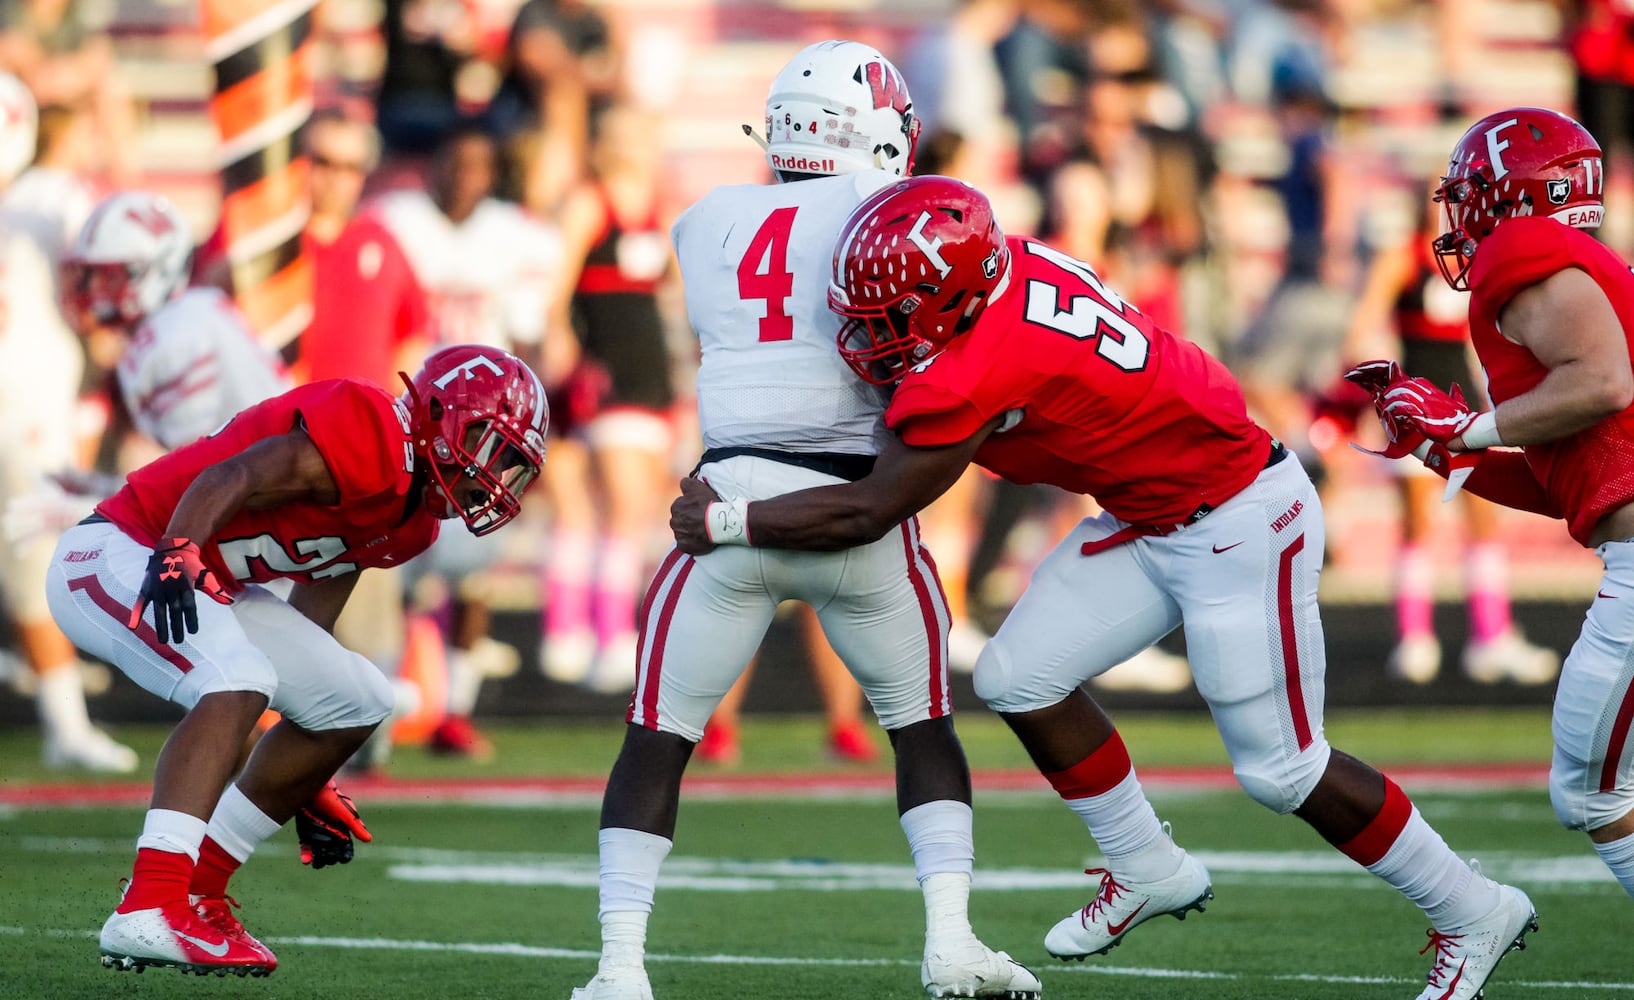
column 1109, row 403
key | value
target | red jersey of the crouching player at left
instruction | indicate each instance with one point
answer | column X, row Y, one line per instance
column 364, row 437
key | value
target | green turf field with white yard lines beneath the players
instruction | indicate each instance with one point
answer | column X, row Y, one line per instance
column 795, row 900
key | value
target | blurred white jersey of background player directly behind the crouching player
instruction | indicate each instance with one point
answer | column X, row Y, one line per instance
column 194, row 365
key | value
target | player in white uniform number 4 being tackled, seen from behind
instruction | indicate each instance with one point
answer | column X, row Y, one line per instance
column 780, row 413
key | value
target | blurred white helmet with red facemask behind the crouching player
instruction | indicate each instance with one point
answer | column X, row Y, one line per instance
column 130, row 259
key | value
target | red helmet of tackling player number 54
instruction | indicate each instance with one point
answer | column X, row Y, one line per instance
column 916, row 267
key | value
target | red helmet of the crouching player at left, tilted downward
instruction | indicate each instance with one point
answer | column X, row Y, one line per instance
column 478, row 413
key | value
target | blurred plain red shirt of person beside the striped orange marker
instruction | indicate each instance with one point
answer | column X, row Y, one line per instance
column 365, row 305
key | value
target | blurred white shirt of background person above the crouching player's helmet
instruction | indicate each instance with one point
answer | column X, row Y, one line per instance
column 488, row 280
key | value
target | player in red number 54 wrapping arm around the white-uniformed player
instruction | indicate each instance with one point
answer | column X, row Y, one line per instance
column 1017, row 357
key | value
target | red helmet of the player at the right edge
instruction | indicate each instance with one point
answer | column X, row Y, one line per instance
column 1517, row 163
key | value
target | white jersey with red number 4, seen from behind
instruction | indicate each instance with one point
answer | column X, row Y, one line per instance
column 756, row 262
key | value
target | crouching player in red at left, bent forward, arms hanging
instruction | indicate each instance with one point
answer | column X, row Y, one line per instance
column 311, row 486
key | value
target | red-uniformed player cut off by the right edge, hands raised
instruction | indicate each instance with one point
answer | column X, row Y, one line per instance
column 1551, row 313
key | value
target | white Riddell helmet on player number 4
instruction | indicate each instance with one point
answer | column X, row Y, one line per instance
column 841, row 107
